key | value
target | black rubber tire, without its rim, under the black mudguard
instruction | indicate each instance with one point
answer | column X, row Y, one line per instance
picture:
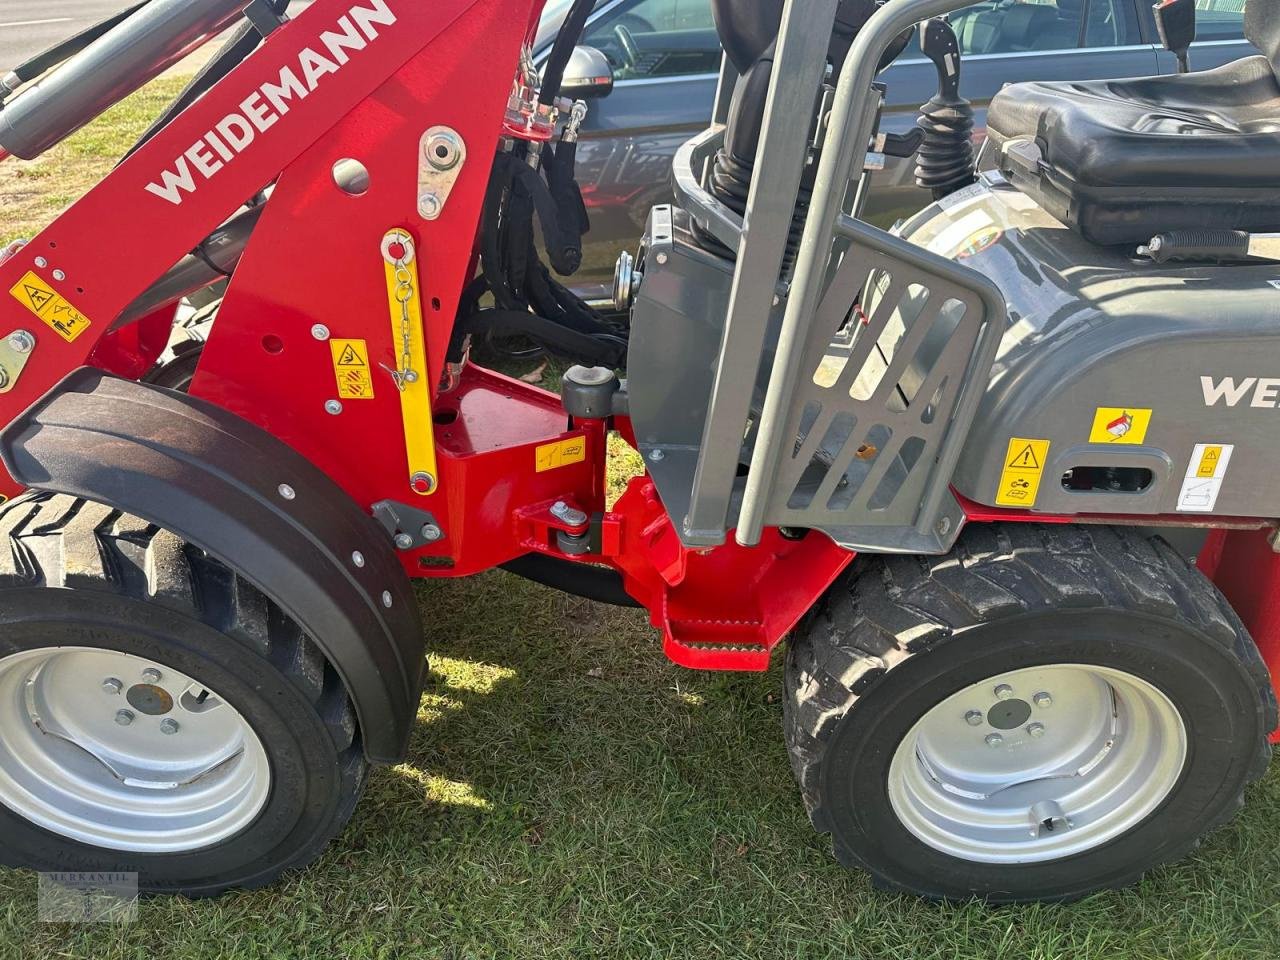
column 81, row 574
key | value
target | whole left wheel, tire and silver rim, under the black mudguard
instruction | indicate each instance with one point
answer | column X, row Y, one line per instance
column 86, row 589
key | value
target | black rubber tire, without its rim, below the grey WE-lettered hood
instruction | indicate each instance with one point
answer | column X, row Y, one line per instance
column 898, row 636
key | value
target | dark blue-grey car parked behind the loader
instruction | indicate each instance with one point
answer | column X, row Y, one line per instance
column 666, row 62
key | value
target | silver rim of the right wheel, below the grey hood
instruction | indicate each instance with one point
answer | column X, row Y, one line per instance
column 1039, row 764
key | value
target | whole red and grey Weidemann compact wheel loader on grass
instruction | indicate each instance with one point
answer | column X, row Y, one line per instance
column 1002, row 477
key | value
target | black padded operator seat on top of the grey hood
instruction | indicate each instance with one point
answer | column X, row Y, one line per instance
column 1123, row 161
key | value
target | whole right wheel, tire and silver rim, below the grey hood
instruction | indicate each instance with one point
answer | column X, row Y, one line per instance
column 904, row 643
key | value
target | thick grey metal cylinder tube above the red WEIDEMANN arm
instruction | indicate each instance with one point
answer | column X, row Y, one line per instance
column 109, row 70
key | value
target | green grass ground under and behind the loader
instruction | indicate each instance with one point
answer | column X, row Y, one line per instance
column 572, row 794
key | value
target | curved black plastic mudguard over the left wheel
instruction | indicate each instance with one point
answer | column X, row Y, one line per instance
column 216, row 481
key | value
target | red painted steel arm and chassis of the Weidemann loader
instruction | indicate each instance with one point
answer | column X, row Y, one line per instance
column 314, row 259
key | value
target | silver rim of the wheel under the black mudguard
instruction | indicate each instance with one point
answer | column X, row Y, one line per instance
column 124, row 753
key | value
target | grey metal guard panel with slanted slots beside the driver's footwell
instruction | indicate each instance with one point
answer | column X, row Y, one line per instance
column 883, row 406
